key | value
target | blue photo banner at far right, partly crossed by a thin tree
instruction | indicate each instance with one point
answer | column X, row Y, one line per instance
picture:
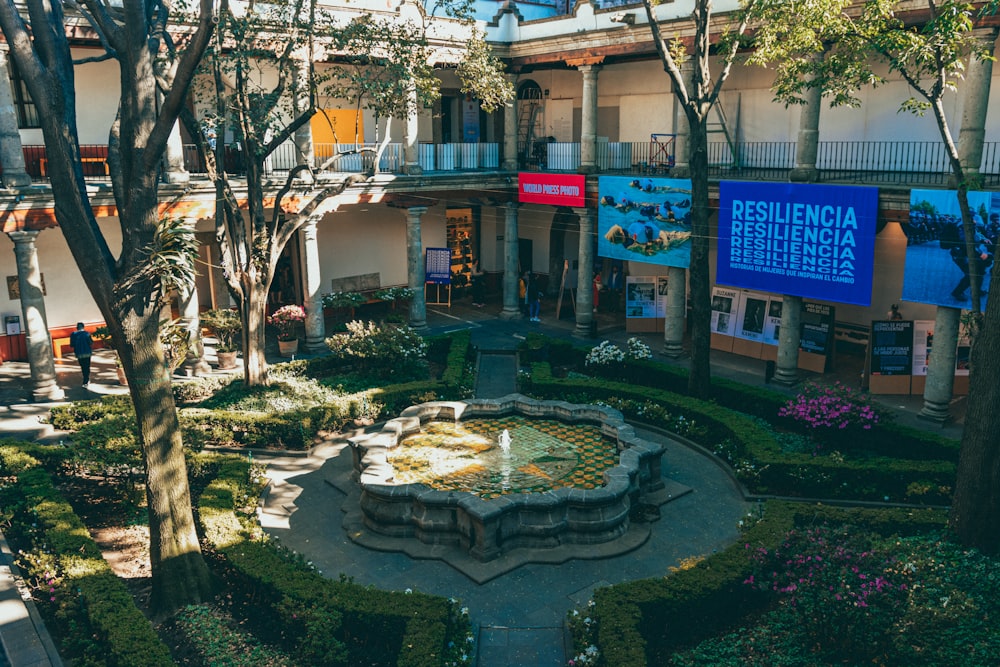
column 937, row 267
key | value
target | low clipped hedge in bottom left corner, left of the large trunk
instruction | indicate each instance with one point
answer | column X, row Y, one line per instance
column 91, row 604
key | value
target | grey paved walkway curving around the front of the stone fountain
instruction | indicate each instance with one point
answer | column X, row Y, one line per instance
column 302, row 509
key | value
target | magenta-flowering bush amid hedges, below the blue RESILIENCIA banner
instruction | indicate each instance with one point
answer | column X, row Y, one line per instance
column 831, row 408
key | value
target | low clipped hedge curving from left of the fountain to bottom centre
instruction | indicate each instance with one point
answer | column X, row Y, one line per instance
column 330, row 622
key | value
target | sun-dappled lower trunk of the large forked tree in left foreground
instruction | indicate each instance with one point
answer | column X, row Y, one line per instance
column 179, row 573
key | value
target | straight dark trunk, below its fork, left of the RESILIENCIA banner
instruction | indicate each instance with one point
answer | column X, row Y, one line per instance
column 700, row 377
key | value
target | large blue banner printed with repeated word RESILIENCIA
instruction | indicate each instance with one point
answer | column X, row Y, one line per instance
column 813, row 241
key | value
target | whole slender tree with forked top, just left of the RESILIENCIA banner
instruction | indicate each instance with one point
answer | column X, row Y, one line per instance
column 697, row 95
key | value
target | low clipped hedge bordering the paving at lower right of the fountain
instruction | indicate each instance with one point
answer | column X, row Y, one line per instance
column 642, row 622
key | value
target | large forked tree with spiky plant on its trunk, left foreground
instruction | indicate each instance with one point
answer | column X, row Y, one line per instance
column 154, row 75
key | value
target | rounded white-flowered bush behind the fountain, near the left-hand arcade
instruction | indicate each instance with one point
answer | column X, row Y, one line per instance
column 385, row 351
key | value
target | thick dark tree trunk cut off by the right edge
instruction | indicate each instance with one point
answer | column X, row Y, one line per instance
column 975, row 510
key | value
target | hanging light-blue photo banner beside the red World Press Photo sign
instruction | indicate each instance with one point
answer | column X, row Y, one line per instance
column 645, row 220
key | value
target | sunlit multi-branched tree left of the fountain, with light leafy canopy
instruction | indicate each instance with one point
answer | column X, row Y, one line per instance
column 264, row 85
